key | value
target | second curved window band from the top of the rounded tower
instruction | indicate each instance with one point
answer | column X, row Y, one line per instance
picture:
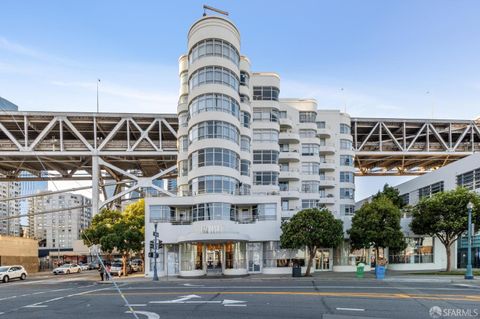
column 214, row 74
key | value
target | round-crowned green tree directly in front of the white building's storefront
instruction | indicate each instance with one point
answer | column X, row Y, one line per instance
column 311, row 228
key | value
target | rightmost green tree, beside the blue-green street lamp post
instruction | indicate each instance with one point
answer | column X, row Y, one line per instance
column 444, row 215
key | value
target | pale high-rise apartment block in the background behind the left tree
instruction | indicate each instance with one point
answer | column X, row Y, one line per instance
column 59, row 229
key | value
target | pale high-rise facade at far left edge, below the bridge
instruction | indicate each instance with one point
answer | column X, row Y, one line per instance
column 10, row 227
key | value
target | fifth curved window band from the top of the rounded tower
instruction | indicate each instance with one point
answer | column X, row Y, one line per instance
column 213, row 157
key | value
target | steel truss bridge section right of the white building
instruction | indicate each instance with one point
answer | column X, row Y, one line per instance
column 411, row 146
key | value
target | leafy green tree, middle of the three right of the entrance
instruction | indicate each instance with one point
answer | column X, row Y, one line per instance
column 377, row 224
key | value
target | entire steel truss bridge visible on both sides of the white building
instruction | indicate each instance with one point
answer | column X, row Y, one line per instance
column 133, row 150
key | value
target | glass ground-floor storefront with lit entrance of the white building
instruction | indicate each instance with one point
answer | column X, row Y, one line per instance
column 234, row 258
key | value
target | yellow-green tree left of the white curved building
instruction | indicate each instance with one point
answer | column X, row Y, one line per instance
column 121, row 231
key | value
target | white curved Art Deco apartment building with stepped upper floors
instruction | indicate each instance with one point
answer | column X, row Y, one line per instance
column 246, row 159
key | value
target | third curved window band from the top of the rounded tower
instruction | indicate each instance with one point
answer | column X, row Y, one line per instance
column 214, row 102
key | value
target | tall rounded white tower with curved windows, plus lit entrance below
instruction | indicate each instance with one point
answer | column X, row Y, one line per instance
column 214, row 140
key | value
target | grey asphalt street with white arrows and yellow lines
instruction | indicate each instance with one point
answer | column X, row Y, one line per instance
column 81, row 296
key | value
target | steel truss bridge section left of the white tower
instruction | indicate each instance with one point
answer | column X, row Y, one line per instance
column 132, row 150
